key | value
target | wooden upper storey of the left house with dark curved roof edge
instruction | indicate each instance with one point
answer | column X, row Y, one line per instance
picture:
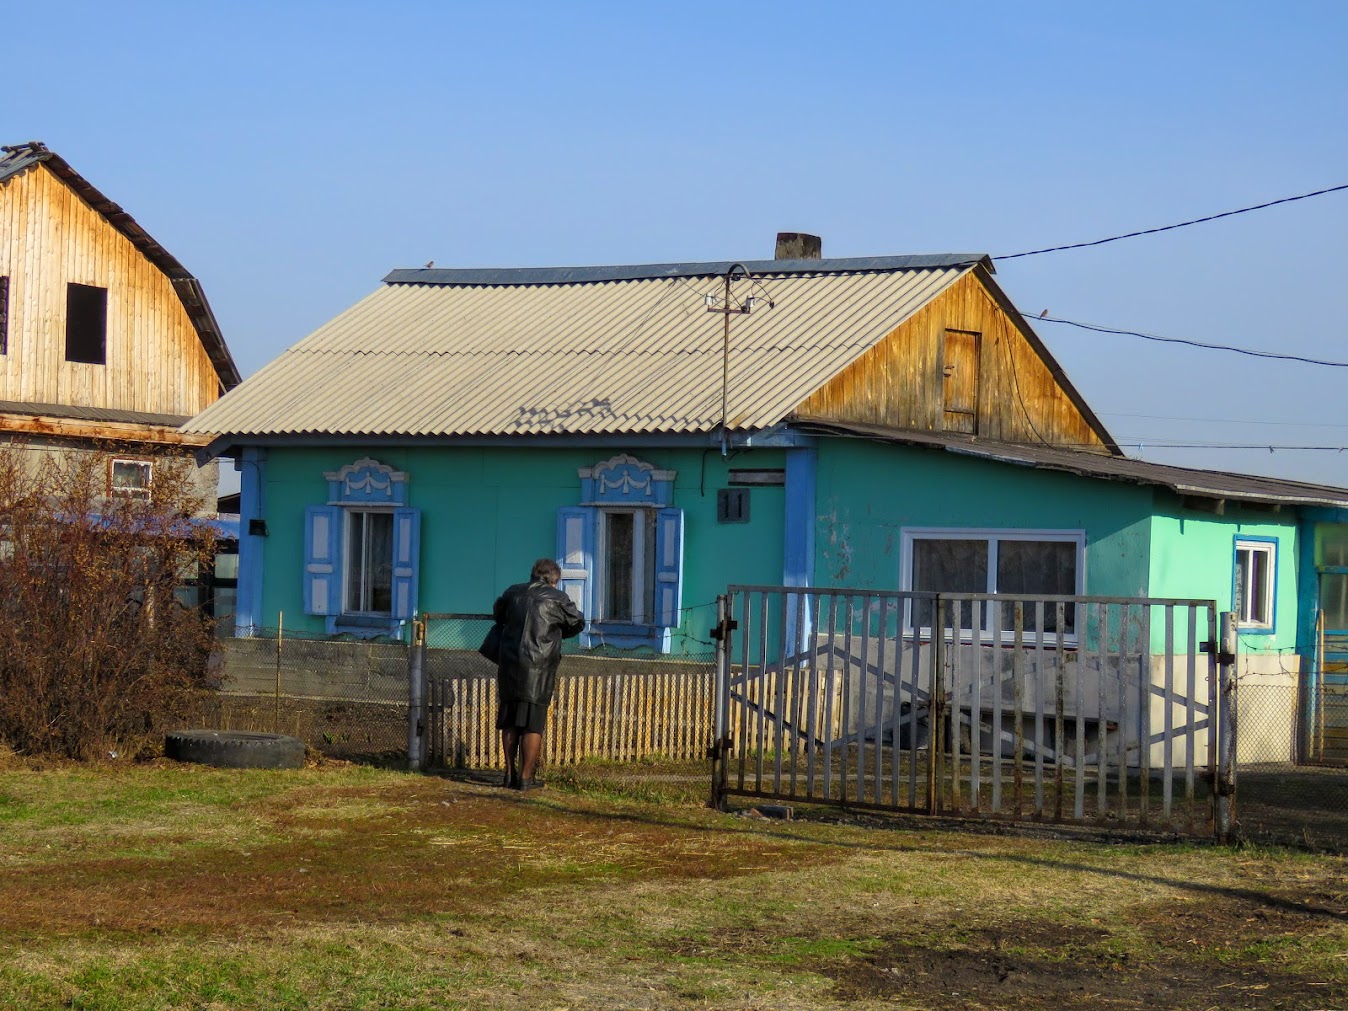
column 106, row 339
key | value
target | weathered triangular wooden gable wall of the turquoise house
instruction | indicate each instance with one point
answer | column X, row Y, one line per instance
column 901, row 382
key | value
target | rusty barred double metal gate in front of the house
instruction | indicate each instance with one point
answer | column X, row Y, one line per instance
column 1068, row 710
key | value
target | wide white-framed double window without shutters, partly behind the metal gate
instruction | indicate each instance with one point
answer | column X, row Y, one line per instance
column 1029, row 564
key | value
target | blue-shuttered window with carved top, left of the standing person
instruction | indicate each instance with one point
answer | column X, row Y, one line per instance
column 362, row 552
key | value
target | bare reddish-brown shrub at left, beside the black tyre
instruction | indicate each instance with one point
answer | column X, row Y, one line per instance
column 96, row 650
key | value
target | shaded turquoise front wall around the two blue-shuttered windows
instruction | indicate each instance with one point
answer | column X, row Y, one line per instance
column 487, row 514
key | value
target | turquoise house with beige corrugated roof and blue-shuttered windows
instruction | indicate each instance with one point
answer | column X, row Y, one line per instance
column 668, row 431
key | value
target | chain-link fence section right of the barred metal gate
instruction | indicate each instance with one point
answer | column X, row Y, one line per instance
column 1292, row 780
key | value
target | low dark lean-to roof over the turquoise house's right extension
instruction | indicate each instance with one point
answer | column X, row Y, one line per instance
column 1182, row 481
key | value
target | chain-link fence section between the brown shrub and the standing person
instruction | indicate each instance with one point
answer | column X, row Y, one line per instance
column 346, row 699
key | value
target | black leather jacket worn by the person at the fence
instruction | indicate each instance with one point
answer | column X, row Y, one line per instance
column 534, row 619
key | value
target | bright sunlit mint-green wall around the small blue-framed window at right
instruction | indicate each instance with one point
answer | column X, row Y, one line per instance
column 1195, row 555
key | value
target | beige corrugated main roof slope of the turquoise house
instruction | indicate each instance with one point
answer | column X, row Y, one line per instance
column 618, row 351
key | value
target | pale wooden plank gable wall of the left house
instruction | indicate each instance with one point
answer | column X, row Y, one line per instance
column 51, row 238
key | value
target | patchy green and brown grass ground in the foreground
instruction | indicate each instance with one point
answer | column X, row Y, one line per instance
column 348, row 888
